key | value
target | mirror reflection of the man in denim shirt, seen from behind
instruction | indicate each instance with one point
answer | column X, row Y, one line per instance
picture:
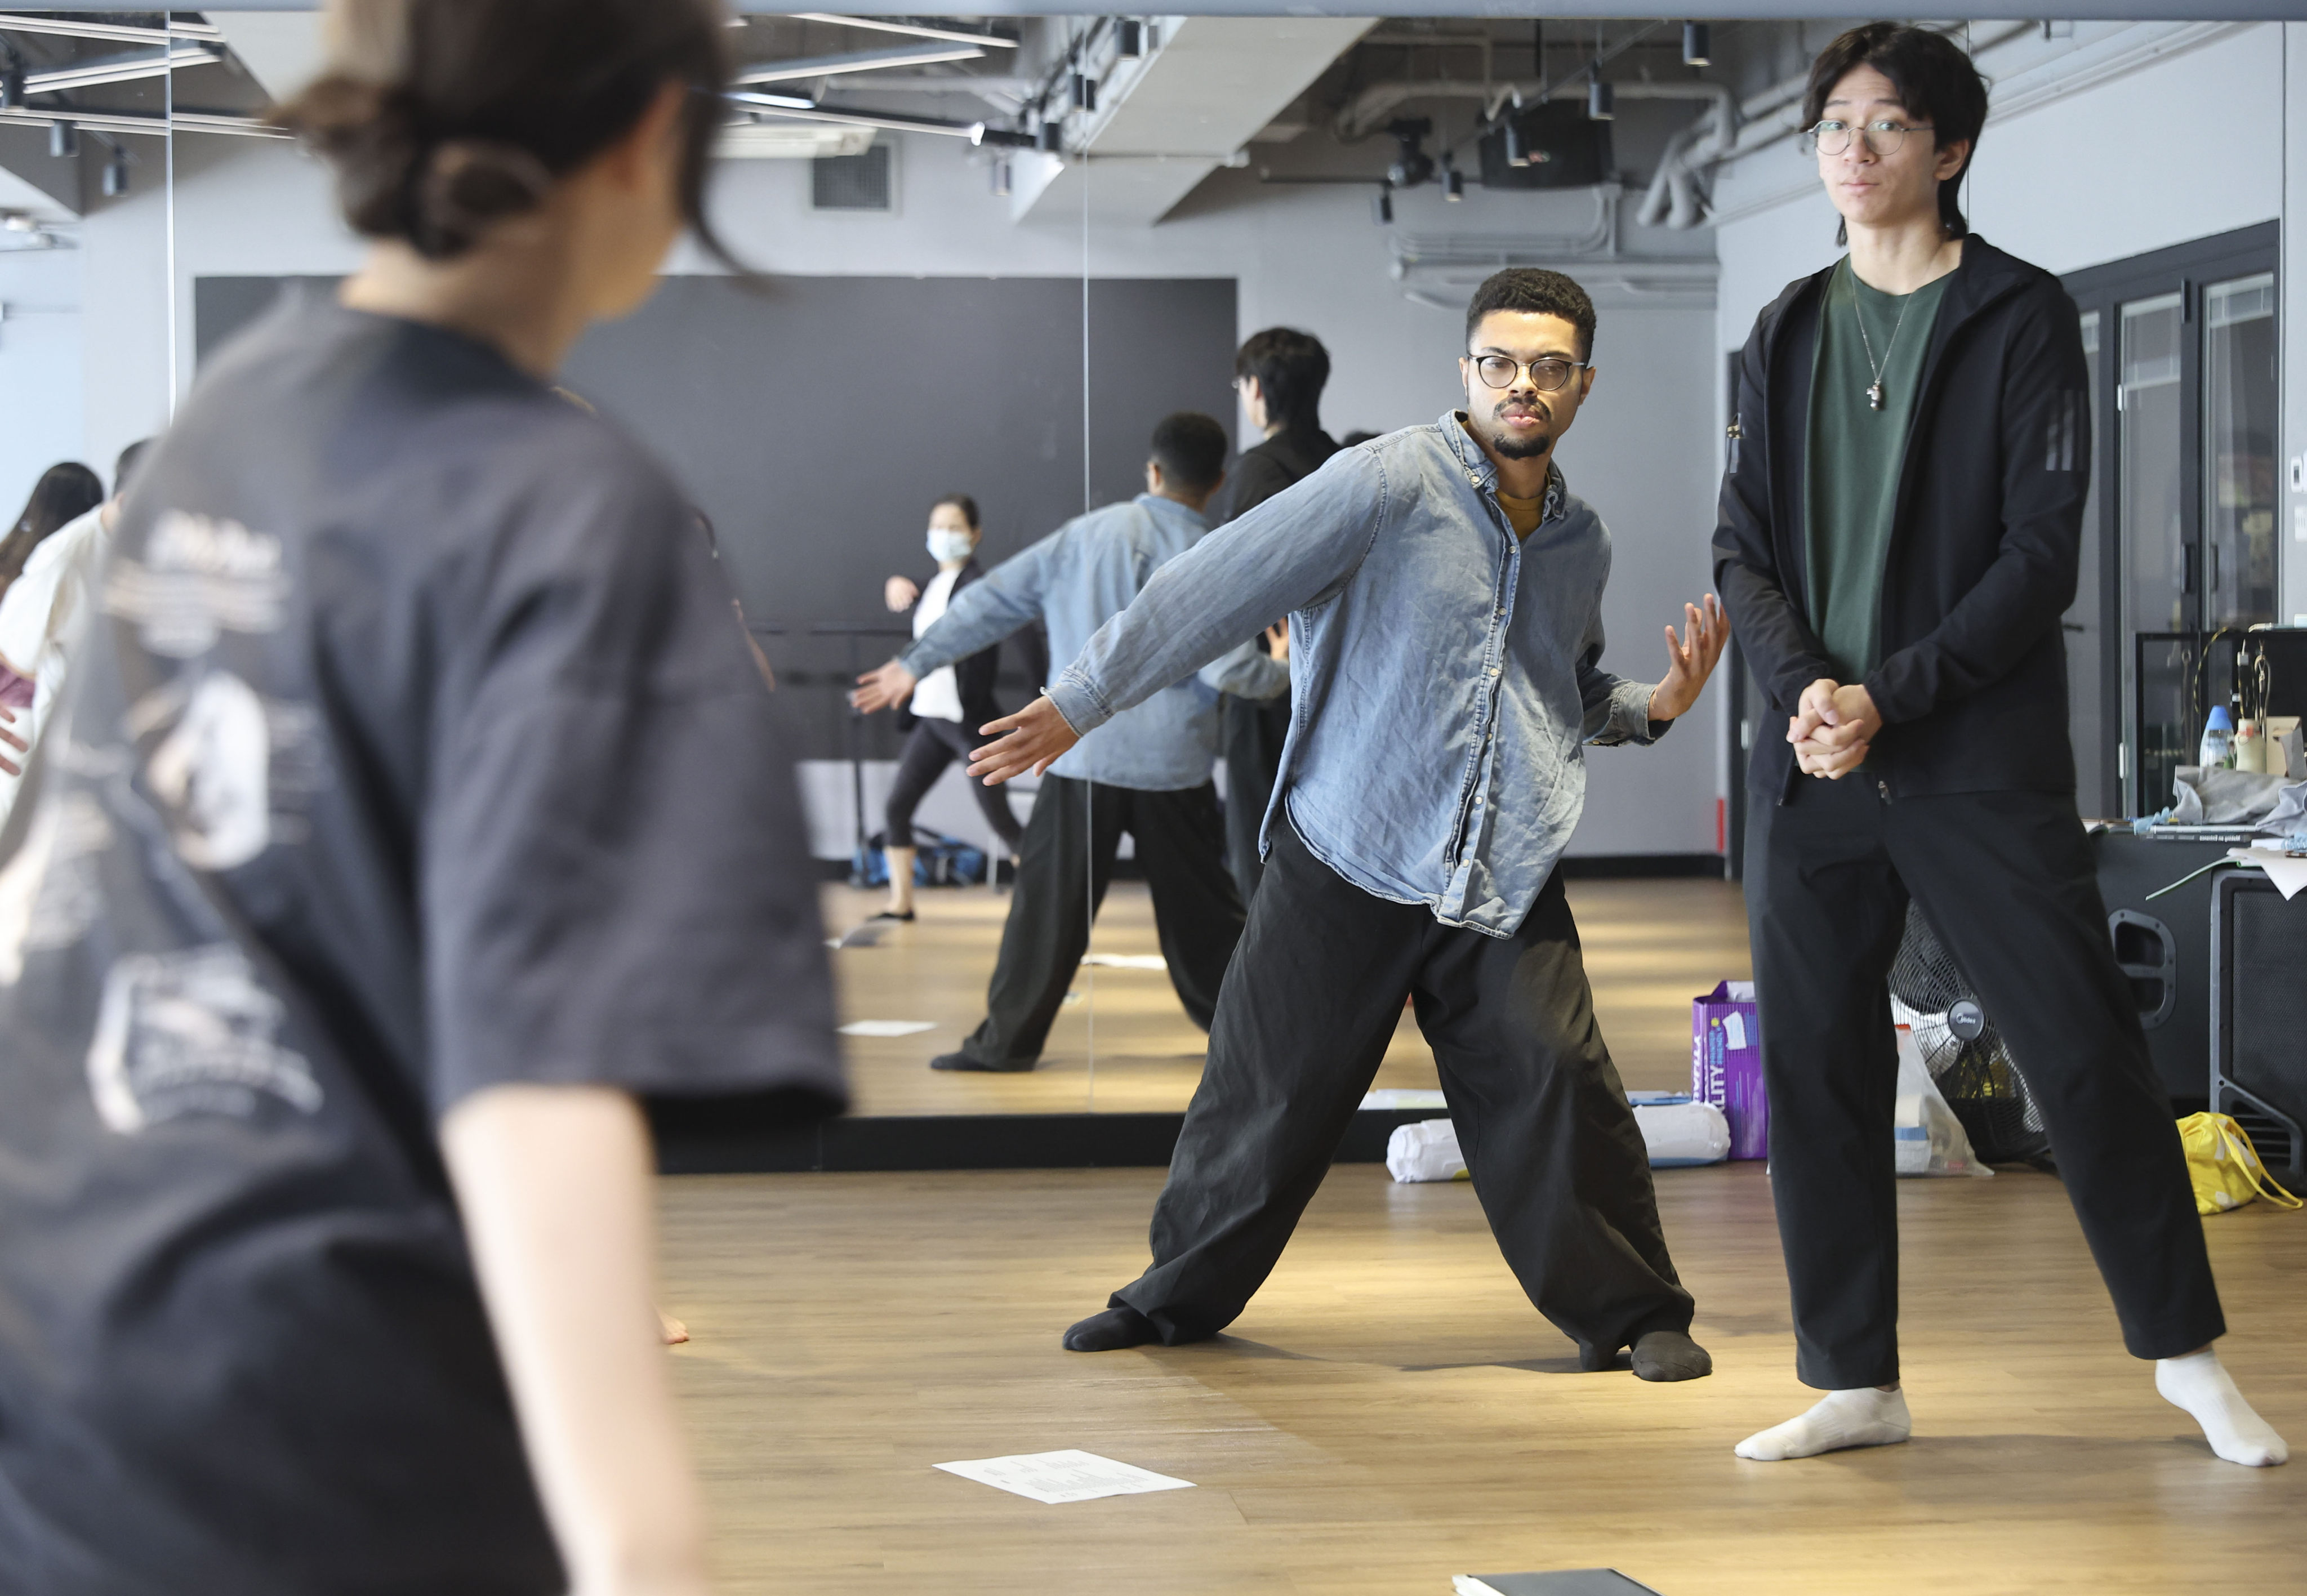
column 1148, row 774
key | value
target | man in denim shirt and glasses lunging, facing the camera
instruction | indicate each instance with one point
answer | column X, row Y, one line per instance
column 1445, row 598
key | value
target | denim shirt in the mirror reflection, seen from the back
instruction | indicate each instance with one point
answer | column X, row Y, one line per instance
column 1076, row 580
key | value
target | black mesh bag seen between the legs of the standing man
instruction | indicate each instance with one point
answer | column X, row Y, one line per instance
column 1964, row 1053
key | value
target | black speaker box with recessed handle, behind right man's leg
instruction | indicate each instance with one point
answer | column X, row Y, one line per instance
column 2163, row 947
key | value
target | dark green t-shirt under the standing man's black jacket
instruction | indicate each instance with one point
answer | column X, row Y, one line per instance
column 1856, row 458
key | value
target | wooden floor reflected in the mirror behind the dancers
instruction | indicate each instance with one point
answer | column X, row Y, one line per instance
column 1127, row 1046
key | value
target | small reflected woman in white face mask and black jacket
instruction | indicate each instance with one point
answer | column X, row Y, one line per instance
column 949, row 705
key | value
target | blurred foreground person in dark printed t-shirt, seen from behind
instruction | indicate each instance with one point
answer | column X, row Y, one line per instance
column 426, row 813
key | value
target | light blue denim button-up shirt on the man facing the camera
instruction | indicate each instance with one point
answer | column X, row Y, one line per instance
column 1438, row 705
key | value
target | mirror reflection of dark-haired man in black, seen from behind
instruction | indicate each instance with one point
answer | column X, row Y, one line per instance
column 1279, row 375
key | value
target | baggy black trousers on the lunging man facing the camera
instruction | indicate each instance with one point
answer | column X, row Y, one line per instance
column 1542, row 1120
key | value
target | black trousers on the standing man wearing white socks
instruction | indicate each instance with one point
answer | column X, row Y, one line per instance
column 2011, row 889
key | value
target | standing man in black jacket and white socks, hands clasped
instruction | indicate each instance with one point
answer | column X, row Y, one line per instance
column 1898, row 541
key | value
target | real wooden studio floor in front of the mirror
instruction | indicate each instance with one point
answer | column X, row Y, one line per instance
column 1392, row 1413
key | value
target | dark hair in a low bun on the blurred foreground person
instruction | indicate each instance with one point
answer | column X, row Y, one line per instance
column 449, row 116
